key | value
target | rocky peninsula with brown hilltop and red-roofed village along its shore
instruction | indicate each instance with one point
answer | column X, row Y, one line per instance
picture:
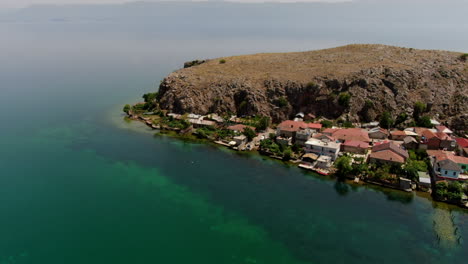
column 384, row 115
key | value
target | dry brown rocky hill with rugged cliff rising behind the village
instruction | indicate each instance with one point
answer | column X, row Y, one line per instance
column 377, row 78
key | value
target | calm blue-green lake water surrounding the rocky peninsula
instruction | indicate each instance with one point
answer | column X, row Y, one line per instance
column 78, row 184
